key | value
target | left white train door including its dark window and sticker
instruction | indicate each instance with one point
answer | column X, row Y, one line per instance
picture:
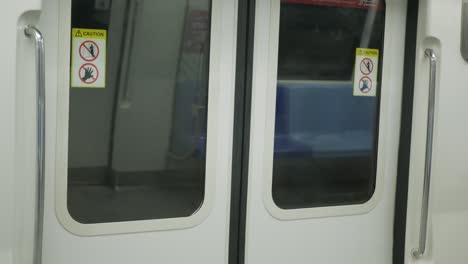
column 139, row 121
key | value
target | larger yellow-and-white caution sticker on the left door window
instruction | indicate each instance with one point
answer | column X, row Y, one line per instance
column 88, row 58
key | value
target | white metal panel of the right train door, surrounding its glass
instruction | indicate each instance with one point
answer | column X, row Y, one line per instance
column 359, row 235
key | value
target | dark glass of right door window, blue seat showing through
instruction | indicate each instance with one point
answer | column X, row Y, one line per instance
column 325, row 137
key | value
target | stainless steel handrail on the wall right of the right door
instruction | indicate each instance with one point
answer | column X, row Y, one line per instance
column 419, row 252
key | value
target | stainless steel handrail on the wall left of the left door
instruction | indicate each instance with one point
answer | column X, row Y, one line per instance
column 36, row 35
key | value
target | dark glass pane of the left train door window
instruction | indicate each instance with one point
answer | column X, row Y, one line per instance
column 137, row 145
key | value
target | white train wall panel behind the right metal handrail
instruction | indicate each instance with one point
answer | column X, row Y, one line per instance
column 439, row 29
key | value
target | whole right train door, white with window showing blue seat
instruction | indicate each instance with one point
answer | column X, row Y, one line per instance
column 325, row 118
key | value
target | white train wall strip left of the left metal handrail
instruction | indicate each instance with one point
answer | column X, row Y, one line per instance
column 17, row 192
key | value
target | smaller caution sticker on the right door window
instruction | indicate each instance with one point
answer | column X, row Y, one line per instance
column 365, row 72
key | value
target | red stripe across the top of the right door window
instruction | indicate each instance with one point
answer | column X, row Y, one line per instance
column 363, row 4
